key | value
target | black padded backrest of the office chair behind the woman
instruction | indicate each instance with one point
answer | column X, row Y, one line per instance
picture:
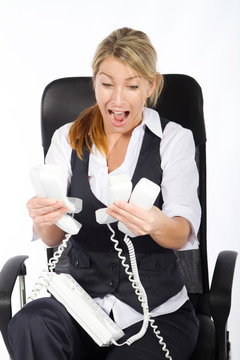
column 181, row 101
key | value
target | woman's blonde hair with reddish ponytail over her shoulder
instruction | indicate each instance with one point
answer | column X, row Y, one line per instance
column 134, row 49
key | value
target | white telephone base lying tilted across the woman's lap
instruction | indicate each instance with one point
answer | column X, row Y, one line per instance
column 83, row 309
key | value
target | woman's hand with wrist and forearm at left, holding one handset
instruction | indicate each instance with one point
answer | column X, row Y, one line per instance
column 44, row 213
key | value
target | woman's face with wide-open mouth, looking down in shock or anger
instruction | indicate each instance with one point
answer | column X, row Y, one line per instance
column 121, row 94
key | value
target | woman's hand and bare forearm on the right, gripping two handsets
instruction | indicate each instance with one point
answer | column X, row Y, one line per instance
column 167, row 232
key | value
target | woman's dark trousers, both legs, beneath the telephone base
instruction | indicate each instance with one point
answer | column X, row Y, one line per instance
column 43, row 329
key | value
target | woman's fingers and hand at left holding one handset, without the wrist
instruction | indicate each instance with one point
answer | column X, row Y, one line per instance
column 44, row 211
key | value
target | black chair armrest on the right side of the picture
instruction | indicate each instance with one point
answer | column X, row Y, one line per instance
column 220, row 298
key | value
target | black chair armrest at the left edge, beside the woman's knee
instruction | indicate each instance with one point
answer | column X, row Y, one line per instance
column 8, row 275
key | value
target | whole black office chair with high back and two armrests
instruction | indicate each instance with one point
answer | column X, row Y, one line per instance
column 181, row 101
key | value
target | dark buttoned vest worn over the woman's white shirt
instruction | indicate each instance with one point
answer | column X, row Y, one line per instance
column 94, row 262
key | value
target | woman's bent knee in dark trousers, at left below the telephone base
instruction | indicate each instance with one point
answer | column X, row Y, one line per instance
column 43, row 329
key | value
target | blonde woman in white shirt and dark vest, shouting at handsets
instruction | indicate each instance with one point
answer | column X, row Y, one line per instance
column 119, row 135
